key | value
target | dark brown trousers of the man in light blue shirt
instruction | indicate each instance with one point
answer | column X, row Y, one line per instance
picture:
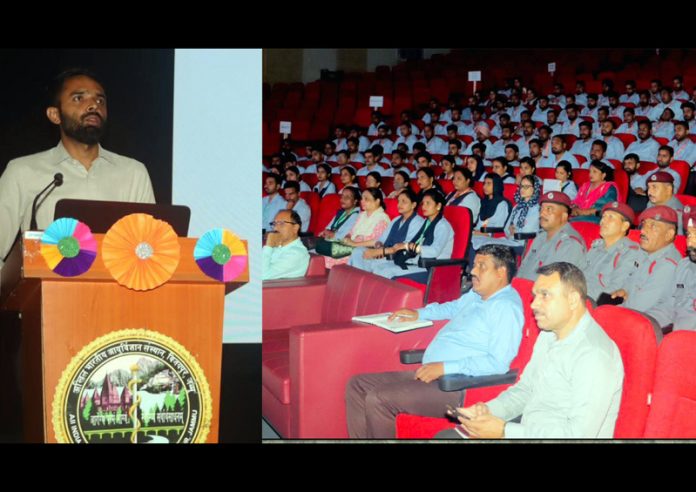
column 374, row 400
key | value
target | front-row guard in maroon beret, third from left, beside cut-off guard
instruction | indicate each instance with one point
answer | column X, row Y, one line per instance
column 650, row 288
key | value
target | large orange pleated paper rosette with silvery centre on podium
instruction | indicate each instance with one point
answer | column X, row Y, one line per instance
column 141, row 252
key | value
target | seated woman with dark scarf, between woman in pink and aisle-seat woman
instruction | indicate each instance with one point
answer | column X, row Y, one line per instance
column 394, row 238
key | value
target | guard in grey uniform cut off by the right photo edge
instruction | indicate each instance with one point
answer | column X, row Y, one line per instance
column 681, row 312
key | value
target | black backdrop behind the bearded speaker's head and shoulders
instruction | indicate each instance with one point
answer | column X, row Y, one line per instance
column 140, row 89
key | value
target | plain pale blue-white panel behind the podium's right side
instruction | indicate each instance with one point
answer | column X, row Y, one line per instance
column 217, row 140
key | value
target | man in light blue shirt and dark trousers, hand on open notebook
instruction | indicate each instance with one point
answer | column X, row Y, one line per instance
column 481, row 338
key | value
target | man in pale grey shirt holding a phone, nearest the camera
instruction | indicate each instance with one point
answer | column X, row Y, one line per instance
column 571, row 387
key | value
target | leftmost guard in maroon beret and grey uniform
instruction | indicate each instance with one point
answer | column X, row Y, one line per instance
column 558, row 241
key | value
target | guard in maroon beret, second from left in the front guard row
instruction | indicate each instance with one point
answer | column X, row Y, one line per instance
column 612, row 259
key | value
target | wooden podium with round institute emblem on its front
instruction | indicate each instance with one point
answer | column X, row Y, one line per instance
column 62, row 317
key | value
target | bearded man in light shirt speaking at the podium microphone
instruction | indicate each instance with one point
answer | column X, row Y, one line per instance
column 78, row 106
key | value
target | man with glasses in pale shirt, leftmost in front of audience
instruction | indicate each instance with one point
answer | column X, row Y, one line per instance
column 284, row 255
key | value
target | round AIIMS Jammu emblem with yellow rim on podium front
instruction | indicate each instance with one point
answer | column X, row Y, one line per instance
column 132, row 386
